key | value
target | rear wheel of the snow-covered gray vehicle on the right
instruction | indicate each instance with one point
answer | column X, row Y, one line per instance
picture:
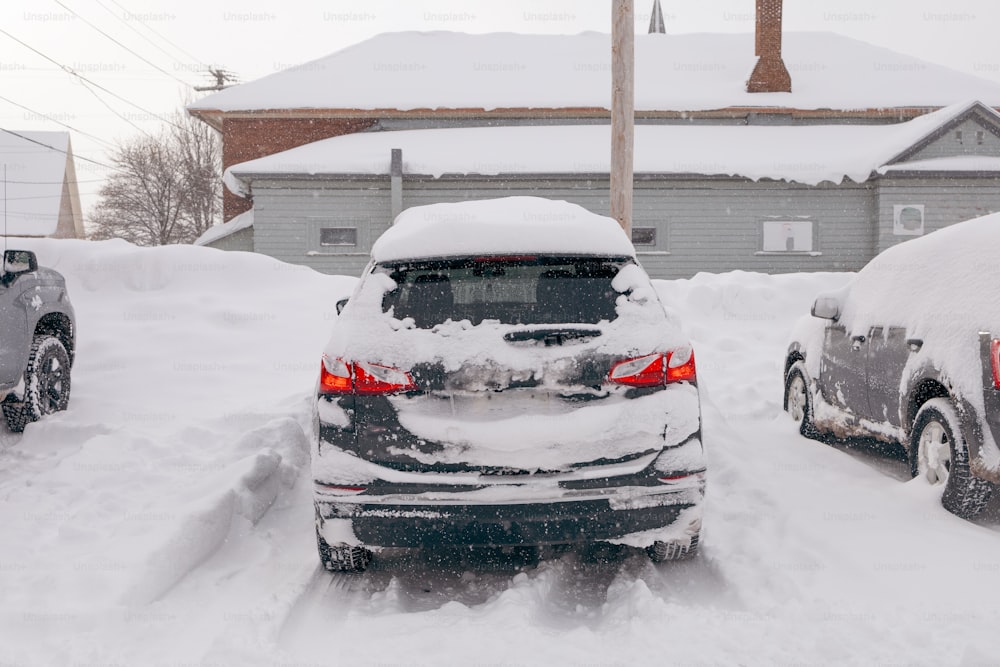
column 938, row 455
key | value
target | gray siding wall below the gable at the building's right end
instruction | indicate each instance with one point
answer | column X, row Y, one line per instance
column 946, row 200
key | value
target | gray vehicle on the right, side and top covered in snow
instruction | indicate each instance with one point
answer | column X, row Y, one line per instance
column 909, row 353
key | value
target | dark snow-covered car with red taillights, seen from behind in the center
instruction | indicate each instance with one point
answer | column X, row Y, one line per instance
column 505, row 375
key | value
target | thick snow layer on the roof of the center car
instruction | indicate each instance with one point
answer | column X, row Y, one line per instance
column 500, row 226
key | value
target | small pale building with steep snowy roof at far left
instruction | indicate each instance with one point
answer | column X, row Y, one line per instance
column 41, row 195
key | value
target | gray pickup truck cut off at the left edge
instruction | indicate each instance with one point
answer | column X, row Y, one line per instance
column 37, row 340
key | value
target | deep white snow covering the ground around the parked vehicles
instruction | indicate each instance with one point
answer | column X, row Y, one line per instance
column 165, row 518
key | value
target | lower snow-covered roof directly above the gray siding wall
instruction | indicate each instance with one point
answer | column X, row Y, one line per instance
column 808, row 154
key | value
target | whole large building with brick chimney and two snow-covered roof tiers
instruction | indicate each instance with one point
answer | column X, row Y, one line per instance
column 529, row 114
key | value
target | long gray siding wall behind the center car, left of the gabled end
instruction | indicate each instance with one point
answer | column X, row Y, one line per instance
column 708, row 224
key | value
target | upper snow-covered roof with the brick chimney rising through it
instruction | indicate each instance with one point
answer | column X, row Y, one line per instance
column 685, row 72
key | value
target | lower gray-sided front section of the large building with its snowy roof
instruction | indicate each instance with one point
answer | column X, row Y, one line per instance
column 706, row 198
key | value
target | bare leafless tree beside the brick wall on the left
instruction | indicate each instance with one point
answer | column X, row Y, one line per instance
column 165, row 189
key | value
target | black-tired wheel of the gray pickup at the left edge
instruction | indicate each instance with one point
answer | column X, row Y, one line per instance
column 46, row 384
